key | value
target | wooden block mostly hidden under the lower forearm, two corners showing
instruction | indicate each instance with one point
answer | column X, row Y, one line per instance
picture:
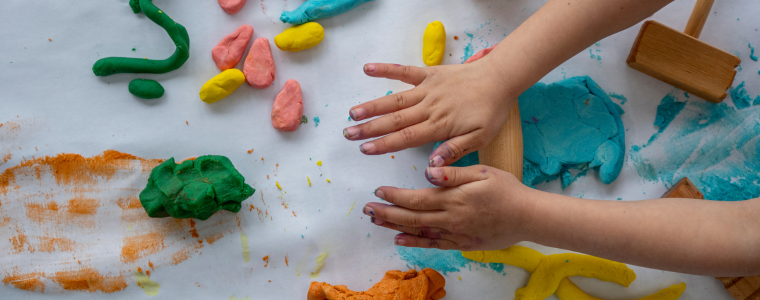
column 741, row 288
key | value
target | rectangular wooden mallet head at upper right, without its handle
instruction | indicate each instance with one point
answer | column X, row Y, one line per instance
column 683, row 61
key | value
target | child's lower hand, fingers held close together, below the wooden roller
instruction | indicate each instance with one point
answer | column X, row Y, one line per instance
column 477, row 208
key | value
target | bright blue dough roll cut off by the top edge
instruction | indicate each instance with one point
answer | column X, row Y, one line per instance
column 318, row 9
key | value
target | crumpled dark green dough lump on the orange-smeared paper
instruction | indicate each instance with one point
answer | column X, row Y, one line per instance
column 194, row 188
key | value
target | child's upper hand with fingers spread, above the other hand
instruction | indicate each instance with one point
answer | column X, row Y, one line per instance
column 465, row 103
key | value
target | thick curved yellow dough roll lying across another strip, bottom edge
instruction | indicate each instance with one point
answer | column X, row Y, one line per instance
column 552, row 269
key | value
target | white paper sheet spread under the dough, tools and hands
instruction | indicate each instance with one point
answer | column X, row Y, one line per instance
column 47, row 87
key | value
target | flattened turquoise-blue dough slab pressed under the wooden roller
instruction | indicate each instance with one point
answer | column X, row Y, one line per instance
column 569, row 125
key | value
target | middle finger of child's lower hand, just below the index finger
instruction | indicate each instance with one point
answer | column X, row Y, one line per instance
column 398, row 215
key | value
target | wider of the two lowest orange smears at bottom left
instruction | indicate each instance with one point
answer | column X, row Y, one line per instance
column 90, row 280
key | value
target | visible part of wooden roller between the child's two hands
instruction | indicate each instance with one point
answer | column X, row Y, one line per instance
column 505, row 151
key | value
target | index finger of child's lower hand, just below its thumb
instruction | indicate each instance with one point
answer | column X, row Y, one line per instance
column 412, row 199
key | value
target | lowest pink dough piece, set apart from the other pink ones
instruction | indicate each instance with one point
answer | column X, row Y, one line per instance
column 288, row 107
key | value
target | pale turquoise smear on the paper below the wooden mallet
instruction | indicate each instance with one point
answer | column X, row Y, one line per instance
column 714, row 145
